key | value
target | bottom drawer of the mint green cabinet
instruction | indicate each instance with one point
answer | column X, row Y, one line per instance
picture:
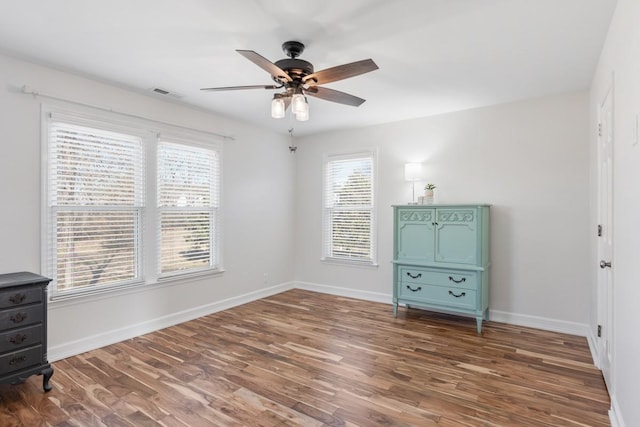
column 439, row 295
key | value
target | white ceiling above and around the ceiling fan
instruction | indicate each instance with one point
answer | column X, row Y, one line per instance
column 435, row 56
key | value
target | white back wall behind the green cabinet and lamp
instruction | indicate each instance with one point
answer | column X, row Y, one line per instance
column 529, row 160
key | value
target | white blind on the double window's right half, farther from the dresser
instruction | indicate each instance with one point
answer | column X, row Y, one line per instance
column 188, row 200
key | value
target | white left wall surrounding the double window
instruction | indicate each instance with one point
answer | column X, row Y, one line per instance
column 258, row 211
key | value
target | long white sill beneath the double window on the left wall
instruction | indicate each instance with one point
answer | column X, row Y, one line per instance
column 61, row 301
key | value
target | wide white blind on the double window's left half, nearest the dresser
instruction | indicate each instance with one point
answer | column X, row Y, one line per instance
column 95, row 198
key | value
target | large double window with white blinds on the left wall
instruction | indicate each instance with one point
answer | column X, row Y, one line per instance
column 99, row 223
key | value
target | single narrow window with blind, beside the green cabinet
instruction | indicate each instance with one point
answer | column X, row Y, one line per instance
column 349, row 215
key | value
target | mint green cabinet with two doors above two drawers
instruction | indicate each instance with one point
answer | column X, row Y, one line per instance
column 441, row 258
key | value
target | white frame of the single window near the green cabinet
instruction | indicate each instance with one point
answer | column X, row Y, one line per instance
column 327, row 256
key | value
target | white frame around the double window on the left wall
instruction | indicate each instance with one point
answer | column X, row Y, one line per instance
column 151, row 133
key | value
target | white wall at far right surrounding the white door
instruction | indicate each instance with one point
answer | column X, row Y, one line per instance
column 620, row 58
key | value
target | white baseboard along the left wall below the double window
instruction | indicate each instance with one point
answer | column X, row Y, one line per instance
column 111, row 337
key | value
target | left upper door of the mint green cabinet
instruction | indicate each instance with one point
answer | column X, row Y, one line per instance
column 415, row 235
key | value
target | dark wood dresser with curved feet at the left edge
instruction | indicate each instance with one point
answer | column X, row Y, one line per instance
column 23, row 328
